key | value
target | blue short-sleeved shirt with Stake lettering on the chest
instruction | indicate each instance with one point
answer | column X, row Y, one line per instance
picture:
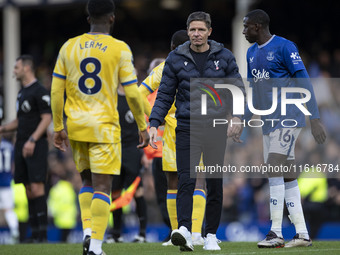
column 273, row 64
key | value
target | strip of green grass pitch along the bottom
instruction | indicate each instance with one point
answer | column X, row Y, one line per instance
column 230, row 248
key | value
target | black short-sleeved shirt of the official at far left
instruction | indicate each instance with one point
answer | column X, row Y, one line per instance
column 32, row 101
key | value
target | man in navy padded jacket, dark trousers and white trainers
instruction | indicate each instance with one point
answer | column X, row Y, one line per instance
column 195, row 133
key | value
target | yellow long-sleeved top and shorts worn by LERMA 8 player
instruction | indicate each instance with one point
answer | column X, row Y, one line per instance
column 91, row 66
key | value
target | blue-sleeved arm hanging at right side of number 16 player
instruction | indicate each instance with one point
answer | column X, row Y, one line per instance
column 317, row 128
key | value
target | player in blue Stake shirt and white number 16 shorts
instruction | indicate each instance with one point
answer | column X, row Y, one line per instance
column 274, row 64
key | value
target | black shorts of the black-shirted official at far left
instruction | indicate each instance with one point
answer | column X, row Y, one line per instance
column 34, row 168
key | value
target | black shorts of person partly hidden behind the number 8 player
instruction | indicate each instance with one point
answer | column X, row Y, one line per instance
column 130, row 169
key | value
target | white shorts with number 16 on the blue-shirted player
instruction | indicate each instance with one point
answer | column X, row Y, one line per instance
column 281, row 141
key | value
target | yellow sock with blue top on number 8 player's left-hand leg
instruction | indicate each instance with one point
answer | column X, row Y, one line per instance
column 85, row 200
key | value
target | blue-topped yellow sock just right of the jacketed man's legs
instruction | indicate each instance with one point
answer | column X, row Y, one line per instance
column 198, row 210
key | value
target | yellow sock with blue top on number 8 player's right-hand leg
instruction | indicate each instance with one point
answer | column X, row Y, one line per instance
column 100, row 214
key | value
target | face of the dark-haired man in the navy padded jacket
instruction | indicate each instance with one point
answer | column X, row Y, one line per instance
column 198, row 33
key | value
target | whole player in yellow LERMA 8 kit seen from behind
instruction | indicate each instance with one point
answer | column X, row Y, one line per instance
column 88, row 70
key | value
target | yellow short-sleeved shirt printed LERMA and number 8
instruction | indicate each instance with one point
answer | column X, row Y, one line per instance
column 93, row 64
